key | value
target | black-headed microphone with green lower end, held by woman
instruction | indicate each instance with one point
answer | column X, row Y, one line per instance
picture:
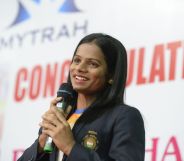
column 66, row 92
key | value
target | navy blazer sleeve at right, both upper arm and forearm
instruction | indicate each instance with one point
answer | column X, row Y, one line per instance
column 128, row 141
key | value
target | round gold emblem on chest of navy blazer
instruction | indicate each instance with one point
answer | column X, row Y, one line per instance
column 90, row 141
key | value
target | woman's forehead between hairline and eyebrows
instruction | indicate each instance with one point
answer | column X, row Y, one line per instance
column 90, row 51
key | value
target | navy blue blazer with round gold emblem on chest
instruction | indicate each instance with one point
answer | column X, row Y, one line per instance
column 117, row 134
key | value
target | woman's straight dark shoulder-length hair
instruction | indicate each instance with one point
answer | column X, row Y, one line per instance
column 116, row 59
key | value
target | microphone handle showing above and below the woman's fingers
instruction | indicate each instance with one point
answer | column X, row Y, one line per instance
column 49, row 145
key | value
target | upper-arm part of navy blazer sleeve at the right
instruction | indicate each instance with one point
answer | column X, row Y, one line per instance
column 128, row 143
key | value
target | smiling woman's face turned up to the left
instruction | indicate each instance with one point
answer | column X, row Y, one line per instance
column 88, row 71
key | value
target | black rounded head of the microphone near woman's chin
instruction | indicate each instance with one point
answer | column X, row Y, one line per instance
column 65, row 91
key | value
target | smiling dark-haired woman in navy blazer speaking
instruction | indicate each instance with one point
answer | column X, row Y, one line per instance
column 105, row 128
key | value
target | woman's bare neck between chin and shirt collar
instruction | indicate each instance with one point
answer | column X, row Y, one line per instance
column 84, row 101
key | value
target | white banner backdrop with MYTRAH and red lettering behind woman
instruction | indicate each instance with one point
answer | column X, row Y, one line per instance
column 37, row 41
